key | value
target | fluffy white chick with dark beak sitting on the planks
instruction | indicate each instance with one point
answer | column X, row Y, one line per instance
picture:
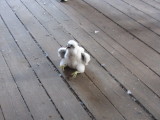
column 74, row 57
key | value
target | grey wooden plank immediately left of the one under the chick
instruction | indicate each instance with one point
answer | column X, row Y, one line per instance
column 63, row 98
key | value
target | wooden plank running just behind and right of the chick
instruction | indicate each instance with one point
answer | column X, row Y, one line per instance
column 59, row 35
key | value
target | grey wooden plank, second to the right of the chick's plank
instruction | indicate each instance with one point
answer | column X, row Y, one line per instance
column 86, row 43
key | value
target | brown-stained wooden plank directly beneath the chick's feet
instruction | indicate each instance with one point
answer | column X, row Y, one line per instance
column 91, row 96
